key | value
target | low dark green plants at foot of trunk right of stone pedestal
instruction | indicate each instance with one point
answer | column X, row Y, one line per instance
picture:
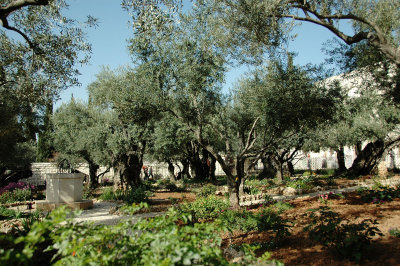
column 137, row 195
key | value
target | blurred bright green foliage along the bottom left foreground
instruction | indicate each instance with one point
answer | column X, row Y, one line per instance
column 158, row 241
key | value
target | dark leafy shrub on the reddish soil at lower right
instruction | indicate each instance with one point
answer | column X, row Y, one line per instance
column 346, row 239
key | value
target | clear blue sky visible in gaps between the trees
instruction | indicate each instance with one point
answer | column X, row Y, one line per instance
column 109, row 43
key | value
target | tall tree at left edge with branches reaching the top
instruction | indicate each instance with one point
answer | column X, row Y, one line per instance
column 39, row 50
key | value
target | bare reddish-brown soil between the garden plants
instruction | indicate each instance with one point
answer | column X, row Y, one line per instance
column 299, row 250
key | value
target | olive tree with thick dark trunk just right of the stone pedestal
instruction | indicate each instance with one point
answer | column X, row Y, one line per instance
column 131, row 98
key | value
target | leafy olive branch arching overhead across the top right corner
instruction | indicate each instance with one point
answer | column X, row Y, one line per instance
column 374, row 21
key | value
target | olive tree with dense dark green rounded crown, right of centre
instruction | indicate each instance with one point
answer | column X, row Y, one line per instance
column 291, row 104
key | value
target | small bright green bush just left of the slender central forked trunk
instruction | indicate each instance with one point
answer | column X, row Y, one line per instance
column 205, row 208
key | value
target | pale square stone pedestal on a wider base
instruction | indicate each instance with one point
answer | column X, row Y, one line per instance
column 64, row 189
